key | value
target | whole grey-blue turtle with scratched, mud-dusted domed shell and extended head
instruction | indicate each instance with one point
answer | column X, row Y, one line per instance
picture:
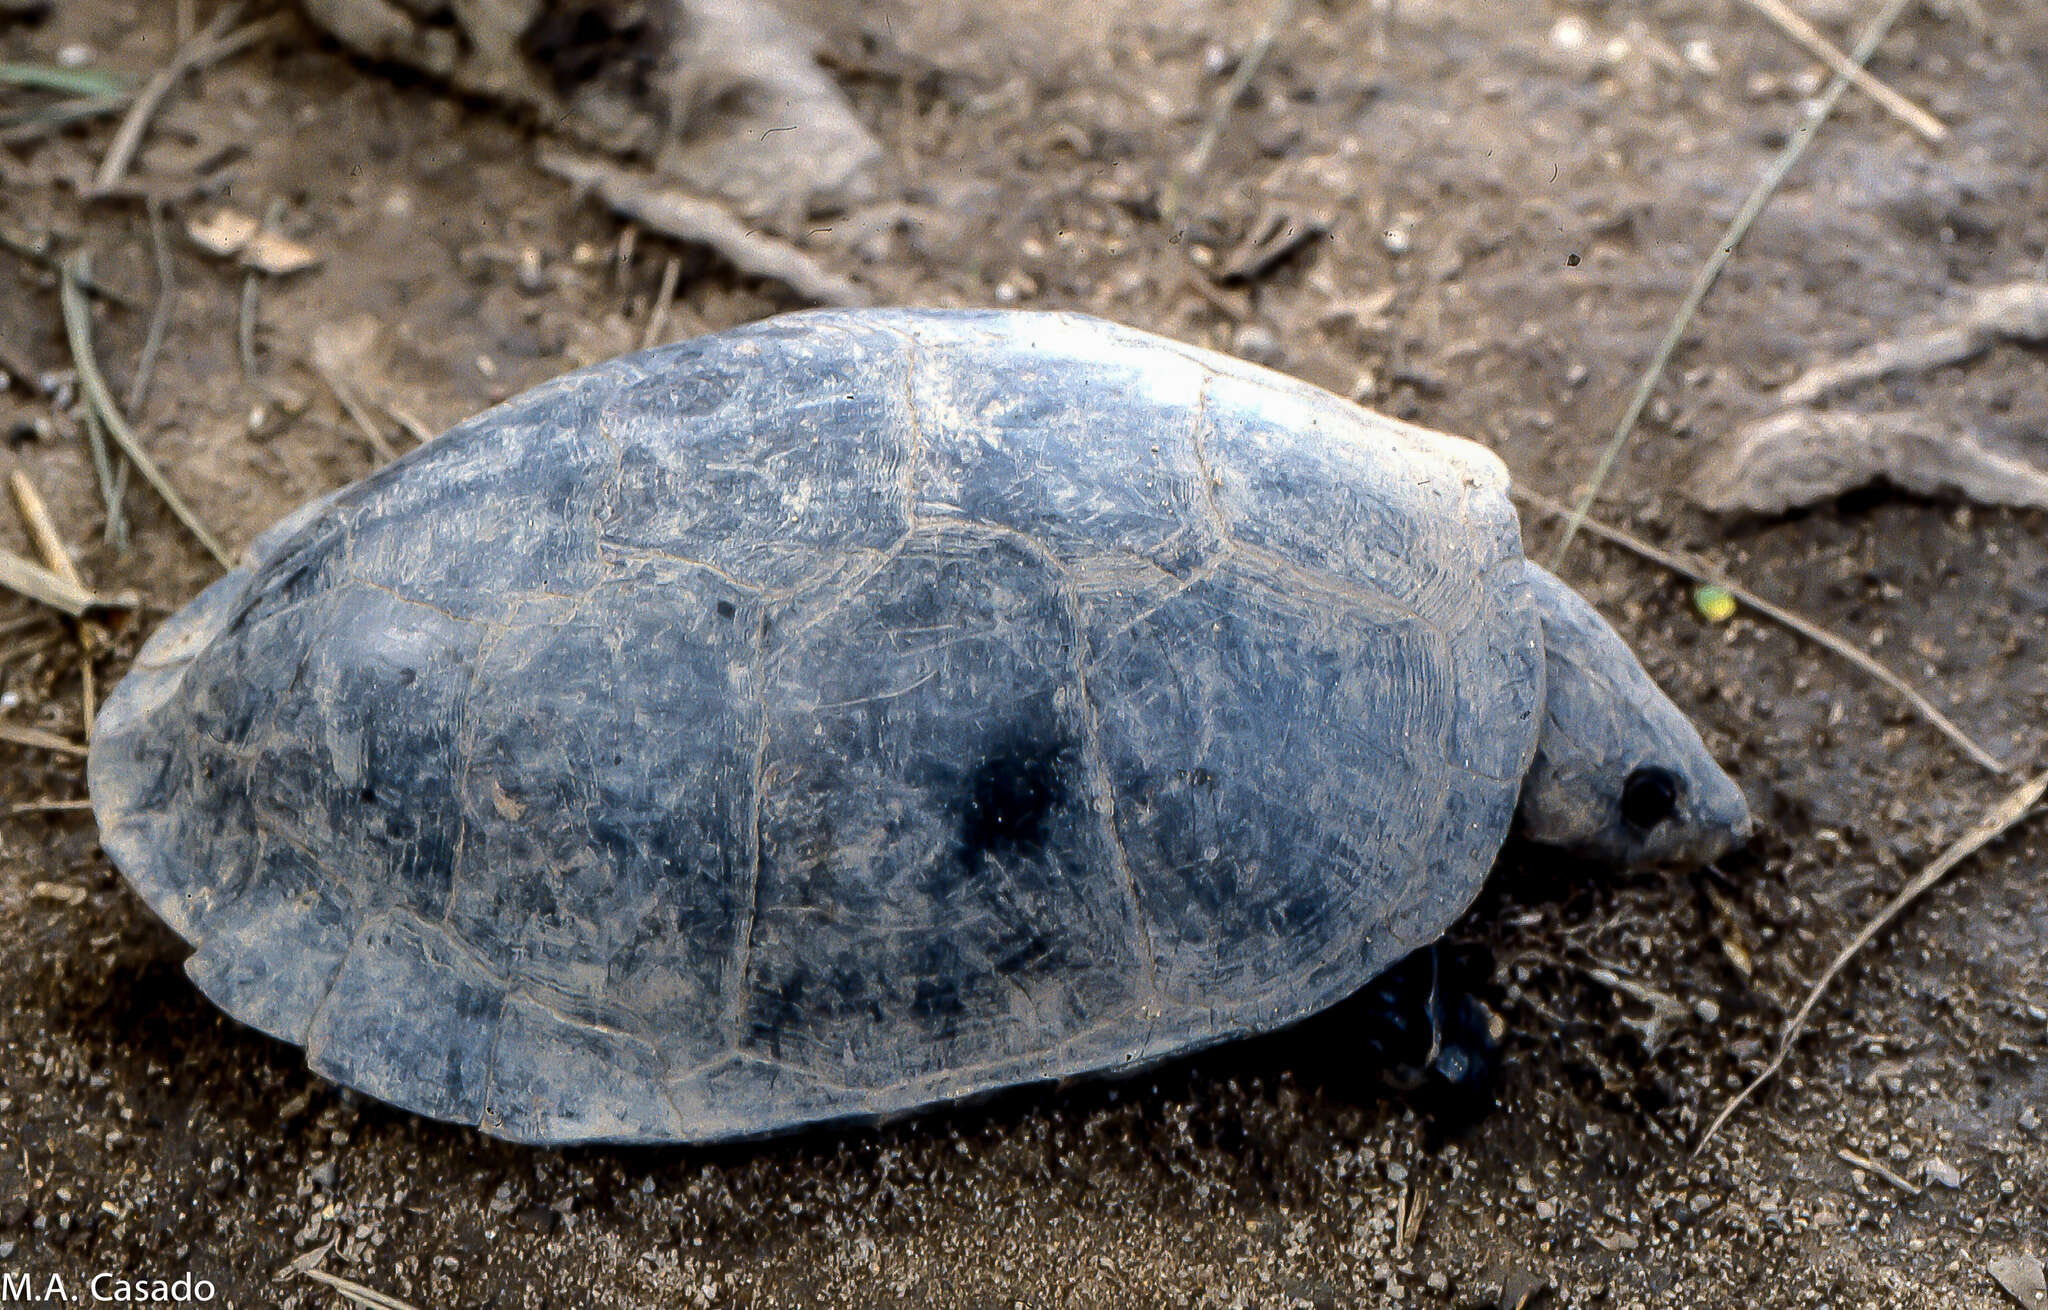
column 863, row 711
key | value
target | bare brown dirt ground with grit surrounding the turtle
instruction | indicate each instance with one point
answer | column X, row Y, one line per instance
column 1512, row 200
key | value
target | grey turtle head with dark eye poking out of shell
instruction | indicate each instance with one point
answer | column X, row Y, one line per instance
column 1621, row 775
